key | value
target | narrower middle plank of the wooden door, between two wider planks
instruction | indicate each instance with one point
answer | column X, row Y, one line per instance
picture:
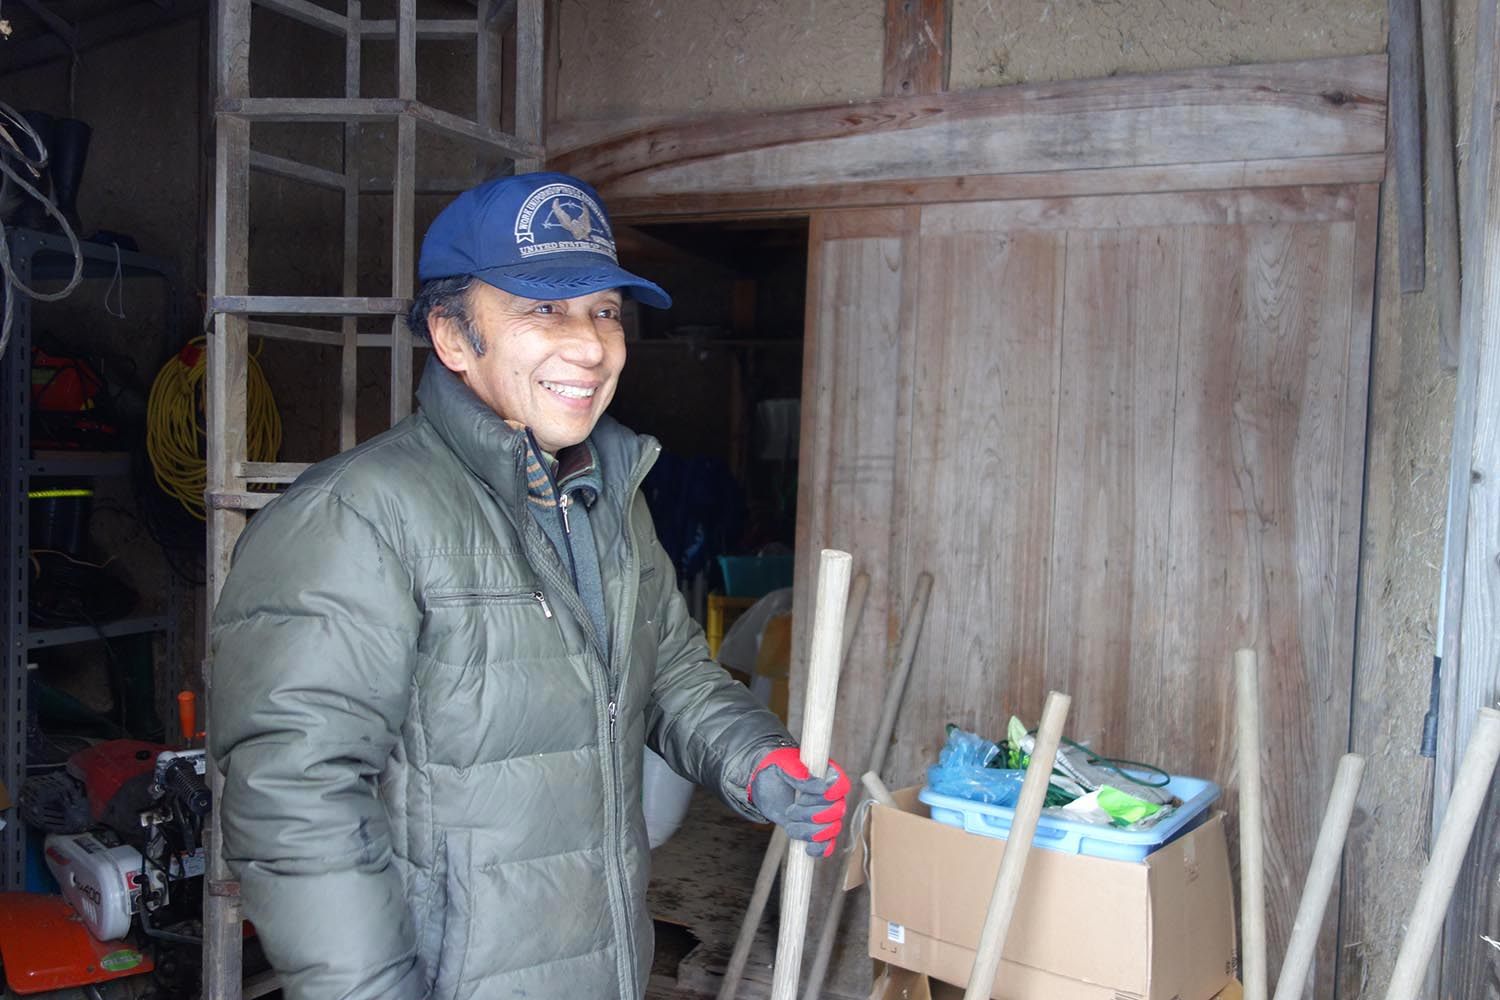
column 1120, row 350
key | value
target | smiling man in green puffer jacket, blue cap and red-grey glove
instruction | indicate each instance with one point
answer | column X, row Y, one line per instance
column 439, row 656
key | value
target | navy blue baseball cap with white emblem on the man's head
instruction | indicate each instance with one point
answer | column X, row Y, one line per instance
column 541, row 236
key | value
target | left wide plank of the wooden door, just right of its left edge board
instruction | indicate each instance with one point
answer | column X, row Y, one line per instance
column 982, row 490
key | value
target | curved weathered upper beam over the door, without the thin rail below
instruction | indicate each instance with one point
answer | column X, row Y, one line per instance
column 1195, row 119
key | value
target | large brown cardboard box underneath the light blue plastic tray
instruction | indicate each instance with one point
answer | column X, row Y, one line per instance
column 1085, row 929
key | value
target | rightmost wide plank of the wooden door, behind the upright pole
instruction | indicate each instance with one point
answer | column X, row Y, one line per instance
column 1261, row 481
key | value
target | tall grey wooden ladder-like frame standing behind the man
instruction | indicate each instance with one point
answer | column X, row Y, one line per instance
column 238, row 314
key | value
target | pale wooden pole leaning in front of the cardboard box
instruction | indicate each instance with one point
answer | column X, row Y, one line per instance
column 1018, row 846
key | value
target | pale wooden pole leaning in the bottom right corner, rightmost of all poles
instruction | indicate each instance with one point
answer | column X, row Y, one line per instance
column 1465, row 804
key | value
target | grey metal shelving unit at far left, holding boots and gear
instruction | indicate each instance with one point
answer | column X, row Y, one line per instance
column 40, row 257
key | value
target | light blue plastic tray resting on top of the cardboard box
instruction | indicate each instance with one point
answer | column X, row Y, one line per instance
column 1075, row 837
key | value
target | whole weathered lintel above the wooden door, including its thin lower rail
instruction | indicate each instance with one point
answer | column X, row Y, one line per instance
column 1316, row 122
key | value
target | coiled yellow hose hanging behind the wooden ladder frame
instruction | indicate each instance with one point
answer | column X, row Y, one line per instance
column 175, row 425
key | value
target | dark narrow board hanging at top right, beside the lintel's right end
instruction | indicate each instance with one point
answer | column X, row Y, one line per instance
column 1406, row 143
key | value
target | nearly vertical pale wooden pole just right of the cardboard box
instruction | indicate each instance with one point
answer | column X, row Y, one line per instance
column 1252, row 828
